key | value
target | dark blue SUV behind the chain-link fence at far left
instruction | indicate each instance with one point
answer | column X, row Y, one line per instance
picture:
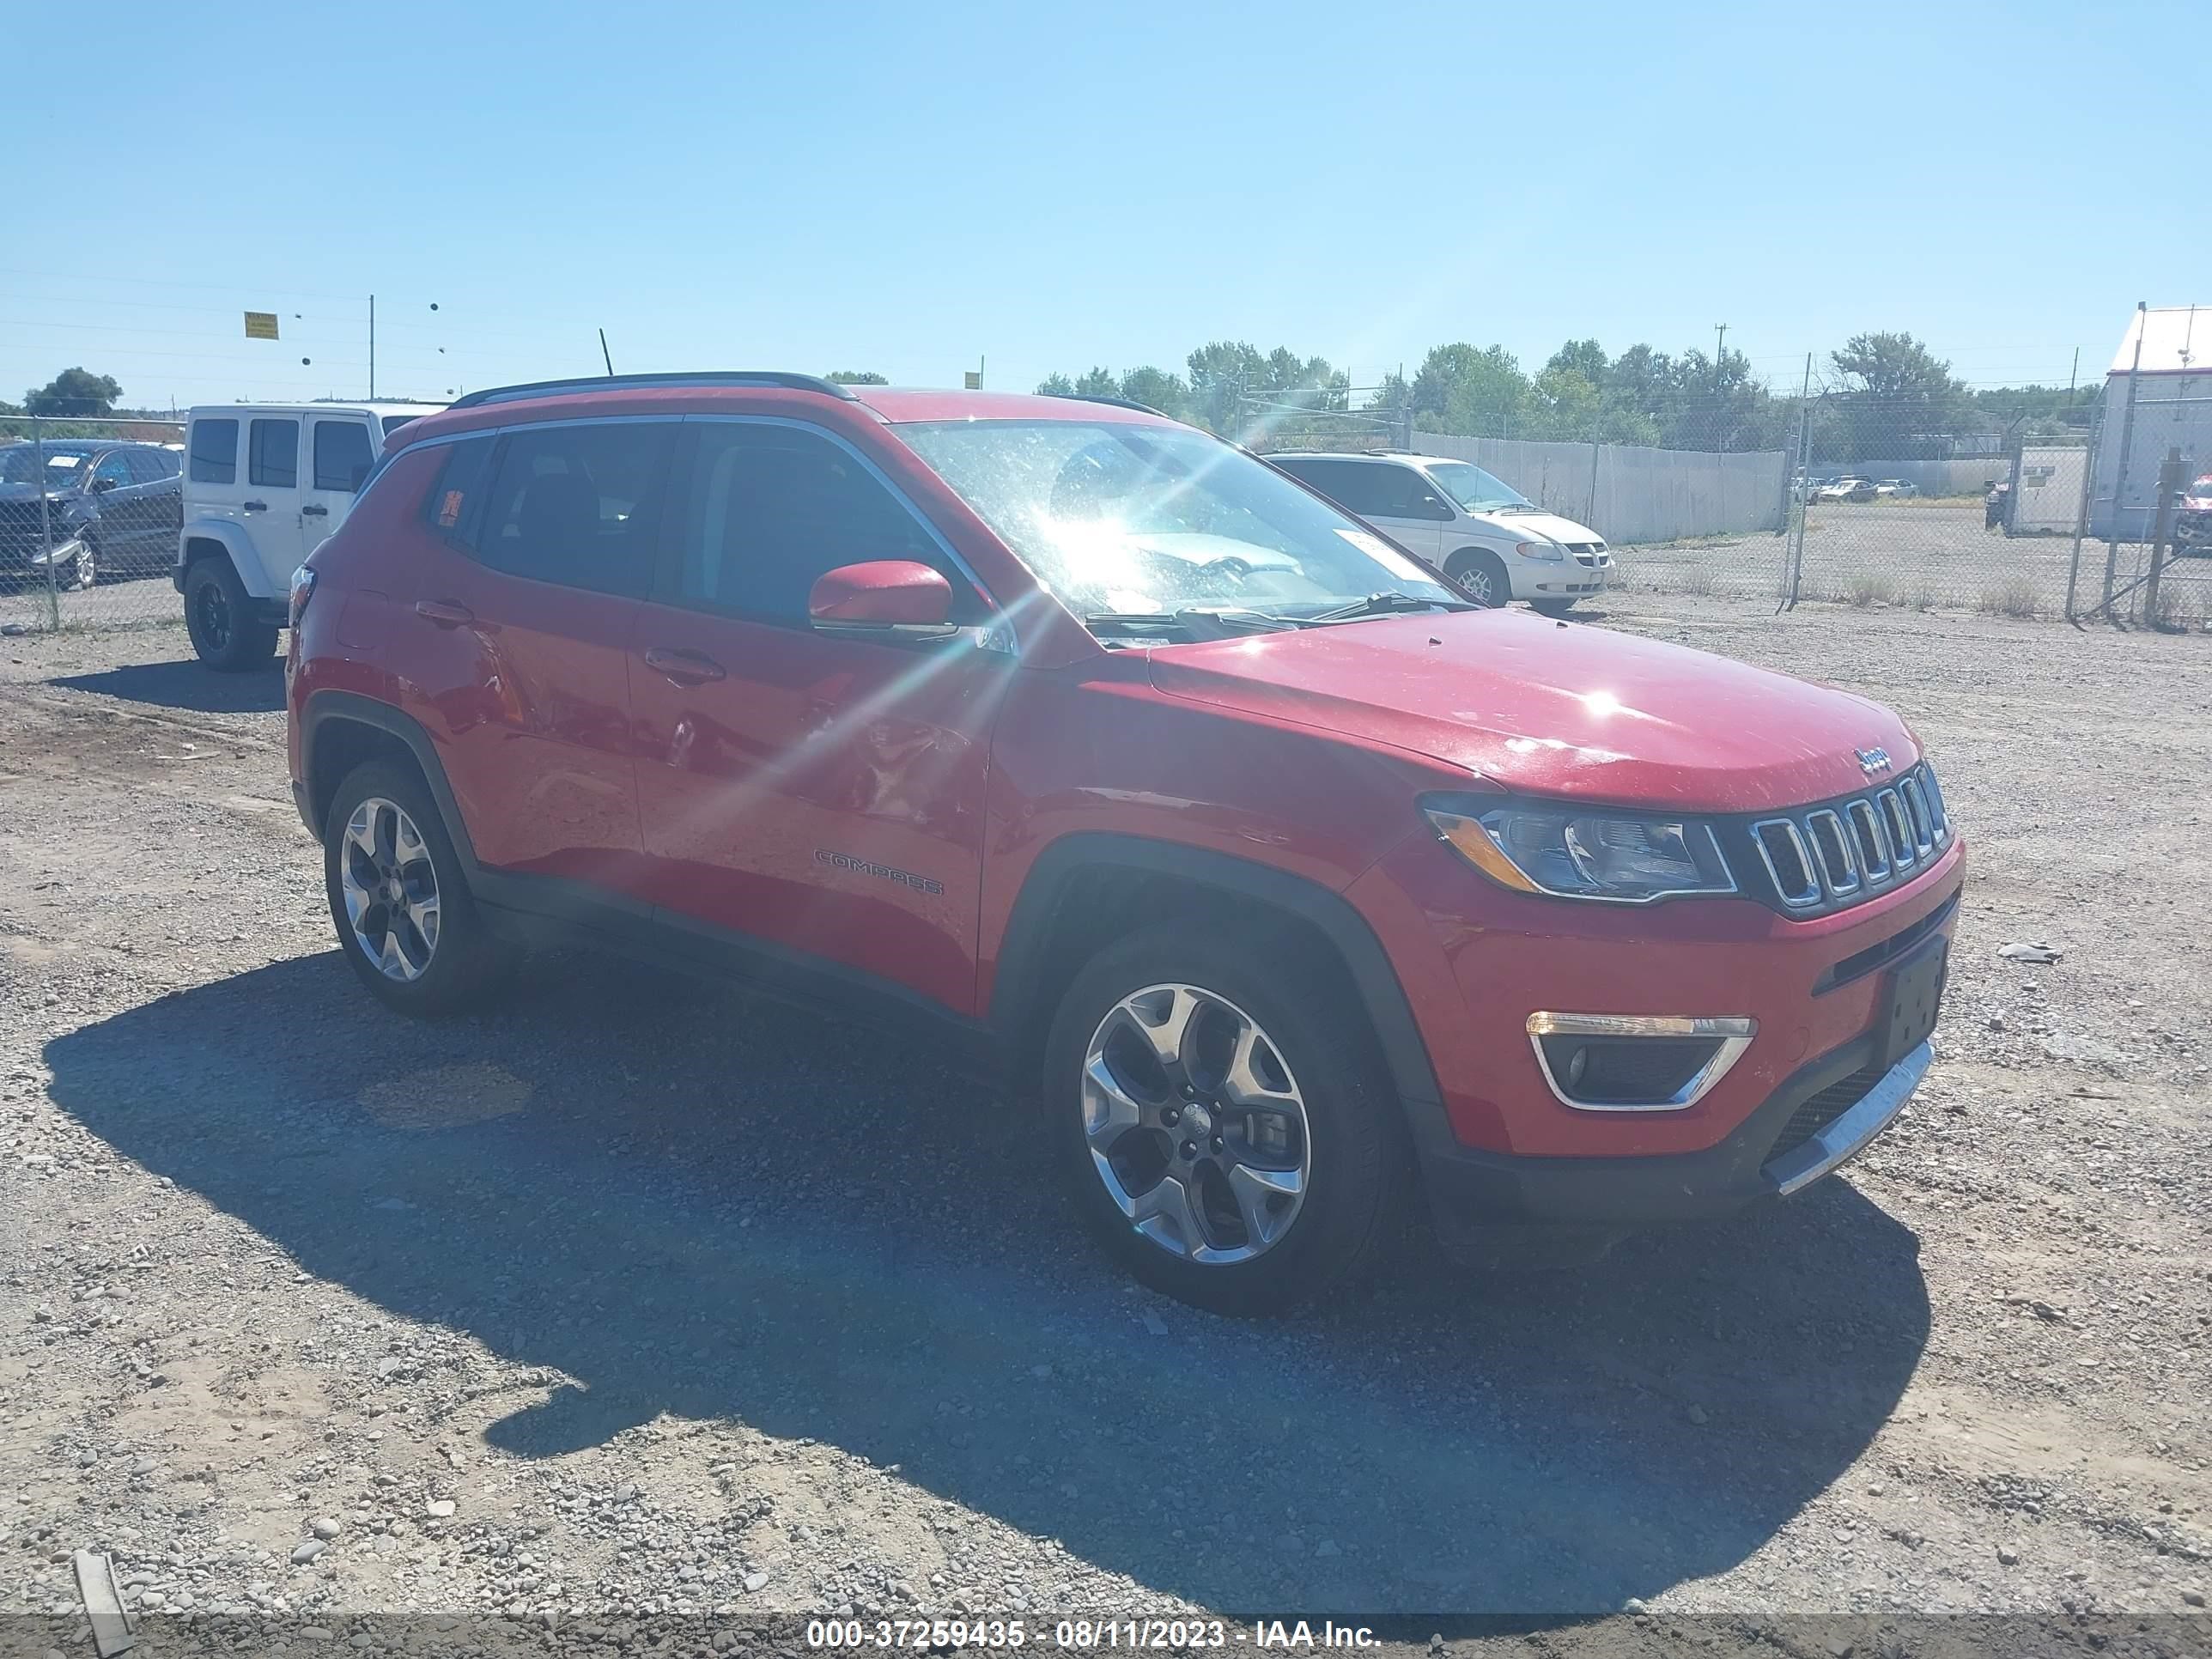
column 112, row 510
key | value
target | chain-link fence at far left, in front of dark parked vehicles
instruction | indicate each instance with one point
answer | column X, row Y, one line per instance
column 90, row 521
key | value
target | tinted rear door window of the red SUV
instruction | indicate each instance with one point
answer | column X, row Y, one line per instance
column 578, row 505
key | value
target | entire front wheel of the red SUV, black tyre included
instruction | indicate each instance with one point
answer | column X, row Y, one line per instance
column 1222, row 1118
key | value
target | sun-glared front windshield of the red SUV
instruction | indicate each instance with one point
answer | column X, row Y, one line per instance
column 1131, row 525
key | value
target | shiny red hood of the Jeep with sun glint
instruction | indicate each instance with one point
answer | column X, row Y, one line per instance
column 1554, row 709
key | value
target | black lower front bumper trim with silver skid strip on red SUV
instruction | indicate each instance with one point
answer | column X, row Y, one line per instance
column 1822, row 1118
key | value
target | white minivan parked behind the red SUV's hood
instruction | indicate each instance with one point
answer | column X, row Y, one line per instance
column 1479, row 530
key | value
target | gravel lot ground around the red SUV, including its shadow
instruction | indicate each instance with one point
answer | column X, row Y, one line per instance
column 640, row 1295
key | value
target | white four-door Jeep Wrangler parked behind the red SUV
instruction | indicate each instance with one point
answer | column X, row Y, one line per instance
column 264, row 486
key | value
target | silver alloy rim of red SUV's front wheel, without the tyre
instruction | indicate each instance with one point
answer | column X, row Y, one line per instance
column 1196, row 1127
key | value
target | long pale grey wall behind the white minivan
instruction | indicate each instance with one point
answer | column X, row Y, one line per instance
column 1631, row 494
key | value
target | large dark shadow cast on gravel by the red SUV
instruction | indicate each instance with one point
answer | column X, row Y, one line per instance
column 693, row 1202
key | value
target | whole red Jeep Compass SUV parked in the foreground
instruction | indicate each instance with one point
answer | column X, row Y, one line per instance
column 1282, row 877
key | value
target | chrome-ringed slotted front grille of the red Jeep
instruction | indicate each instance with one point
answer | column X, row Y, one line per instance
column 1841, row 853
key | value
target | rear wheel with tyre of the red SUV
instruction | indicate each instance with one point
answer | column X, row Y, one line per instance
column 399, row 899
